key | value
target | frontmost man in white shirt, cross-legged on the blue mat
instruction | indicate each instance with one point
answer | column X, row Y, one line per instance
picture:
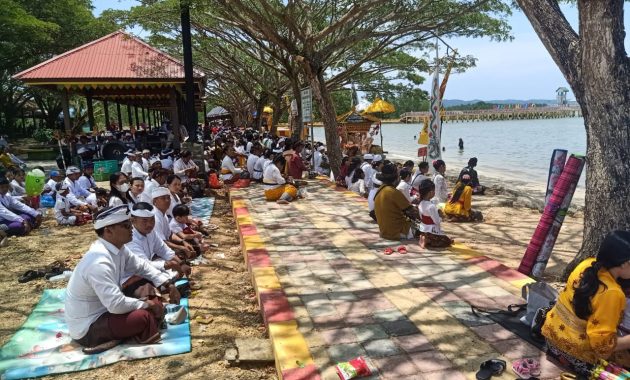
column 97, row 312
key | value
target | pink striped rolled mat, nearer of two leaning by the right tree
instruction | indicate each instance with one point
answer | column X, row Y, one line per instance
column 564, row 189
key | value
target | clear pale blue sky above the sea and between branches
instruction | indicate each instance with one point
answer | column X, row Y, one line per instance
column 520, row 69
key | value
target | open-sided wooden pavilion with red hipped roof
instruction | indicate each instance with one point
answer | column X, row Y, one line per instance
column 121, row 69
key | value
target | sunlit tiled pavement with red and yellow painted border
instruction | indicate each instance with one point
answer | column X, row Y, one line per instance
column 328, row 294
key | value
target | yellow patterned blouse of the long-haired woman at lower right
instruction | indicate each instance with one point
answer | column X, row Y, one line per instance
column 595, row 338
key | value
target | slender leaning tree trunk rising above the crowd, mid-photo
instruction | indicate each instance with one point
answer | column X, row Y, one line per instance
column 328, row 114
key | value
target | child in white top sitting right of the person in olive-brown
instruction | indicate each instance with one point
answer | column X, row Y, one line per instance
column 431, row 235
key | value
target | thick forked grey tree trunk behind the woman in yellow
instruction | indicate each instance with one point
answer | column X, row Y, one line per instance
column 596, row 66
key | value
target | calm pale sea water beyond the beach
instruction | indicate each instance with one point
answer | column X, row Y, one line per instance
column 515, row 152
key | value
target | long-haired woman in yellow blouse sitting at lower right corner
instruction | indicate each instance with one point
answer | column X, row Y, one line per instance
column 582, row 327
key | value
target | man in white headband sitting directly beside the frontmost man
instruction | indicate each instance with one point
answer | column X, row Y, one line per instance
column 146, row 244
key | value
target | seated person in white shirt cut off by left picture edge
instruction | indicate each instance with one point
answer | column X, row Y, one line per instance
column 18, row 217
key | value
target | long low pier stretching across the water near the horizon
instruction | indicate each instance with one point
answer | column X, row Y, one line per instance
column 497, row 114
